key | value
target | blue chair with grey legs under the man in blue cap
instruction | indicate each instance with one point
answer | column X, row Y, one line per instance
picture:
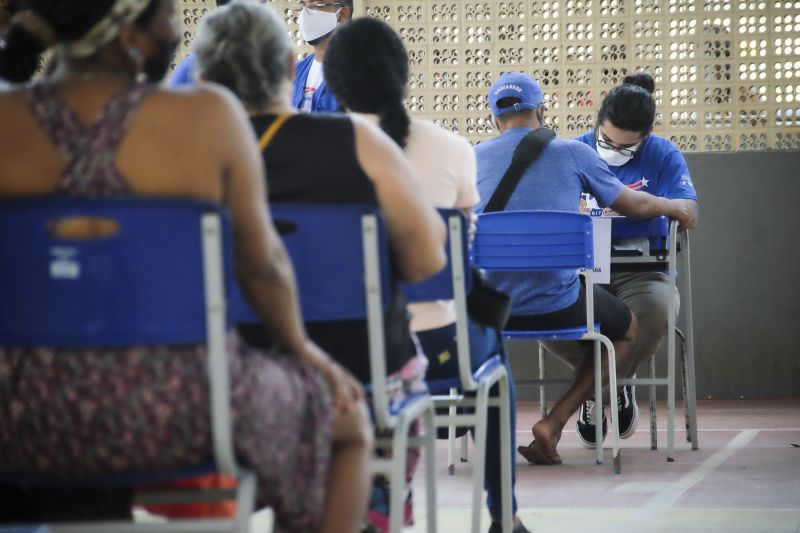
column 542, row 241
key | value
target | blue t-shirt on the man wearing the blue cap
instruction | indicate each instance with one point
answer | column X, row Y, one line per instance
column 554, row 182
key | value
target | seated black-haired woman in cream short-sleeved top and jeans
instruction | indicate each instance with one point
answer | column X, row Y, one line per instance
column 368, row 49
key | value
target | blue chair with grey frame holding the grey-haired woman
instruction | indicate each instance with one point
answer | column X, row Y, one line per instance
column 341, row 259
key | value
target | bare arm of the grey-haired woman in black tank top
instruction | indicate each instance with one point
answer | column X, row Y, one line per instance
column 416, row 231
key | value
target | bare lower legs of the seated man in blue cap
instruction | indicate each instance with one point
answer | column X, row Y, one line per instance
column 547, row 431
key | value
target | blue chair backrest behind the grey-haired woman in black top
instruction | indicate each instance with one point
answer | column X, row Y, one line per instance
column 325, row 245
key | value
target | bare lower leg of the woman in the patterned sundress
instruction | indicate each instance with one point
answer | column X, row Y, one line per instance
column 349, row 481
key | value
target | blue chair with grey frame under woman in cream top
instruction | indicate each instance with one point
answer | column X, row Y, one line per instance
column 452, row 283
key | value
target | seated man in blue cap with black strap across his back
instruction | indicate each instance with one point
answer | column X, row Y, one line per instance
column 555, row 181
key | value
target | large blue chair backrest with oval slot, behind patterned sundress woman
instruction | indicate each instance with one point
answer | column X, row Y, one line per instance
column 141, row 285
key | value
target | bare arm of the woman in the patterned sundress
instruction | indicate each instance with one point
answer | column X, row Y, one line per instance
column 262, row 265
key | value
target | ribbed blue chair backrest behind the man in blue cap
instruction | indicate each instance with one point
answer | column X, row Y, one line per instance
column 533, row 241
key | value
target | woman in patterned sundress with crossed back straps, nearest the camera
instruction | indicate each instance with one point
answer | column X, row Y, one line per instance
column 87, row 131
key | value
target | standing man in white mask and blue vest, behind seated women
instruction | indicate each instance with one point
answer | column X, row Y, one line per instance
column 317, row 20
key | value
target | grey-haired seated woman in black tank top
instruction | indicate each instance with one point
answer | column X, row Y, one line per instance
column 322, row 158
